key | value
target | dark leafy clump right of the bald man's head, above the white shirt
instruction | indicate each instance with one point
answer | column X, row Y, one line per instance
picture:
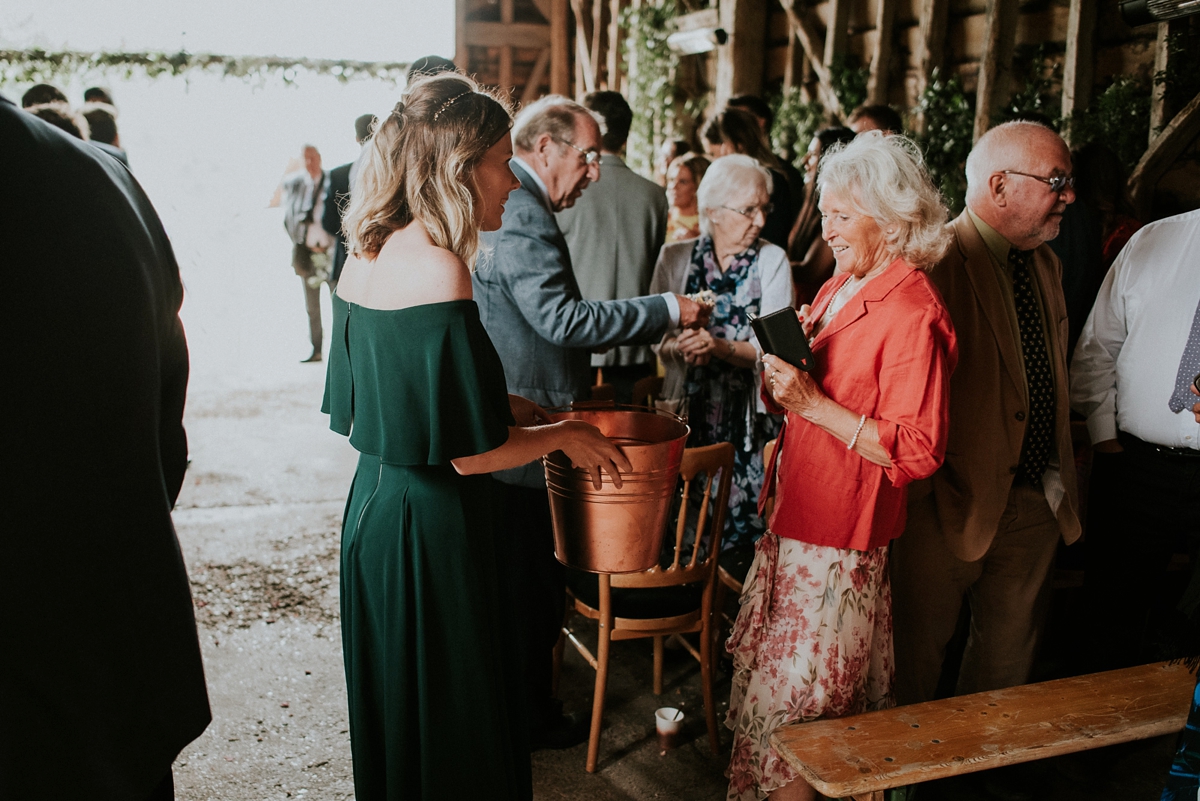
column 1119, row 117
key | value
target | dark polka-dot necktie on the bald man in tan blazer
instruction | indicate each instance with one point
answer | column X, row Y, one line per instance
column 1040, row 431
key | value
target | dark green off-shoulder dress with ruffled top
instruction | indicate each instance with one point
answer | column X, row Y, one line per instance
column 431, row 665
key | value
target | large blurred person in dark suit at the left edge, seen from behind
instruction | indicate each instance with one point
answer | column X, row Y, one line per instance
column 101, row 683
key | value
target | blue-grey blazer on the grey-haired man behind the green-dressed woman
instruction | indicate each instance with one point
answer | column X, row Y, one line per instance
column 543, row 329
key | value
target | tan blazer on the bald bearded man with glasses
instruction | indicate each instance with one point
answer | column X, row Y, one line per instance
column 988, row 396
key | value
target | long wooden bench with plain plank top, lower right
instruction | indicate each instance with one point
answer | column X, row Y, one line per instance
column 862, row 756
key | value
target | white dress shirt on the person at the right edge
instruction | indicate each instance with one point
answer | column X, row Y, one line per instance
column 1129, row 356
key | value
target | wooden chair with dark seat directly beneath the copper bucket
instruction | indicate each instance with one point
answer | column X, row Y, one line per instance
column 663, row 601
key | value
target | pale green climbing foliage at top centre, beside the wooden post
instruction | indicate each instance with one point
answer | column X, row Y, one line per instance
column 651, row 67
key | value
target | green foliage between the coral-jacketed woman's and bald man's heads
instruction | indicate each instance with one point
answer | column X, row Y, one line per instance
column 950, row 123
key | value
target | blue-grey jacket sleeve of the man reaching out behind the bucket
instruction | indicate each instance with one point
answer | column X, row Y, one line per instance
column 545, row 291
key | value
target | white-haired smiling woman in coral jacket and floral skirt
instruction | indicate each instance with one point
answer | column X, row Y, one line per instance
column 814, row 635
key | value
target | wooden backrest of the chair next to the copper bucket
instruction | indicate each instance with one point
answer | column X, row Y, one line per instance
column 716, row 463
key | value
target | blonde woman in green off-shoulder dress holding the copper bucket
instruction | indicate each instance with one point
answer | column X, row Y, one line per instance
column 431, row 671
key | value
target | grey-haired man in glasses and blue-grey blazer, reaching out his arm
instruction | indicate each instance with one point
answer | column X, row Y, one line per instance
column 530, row 303
